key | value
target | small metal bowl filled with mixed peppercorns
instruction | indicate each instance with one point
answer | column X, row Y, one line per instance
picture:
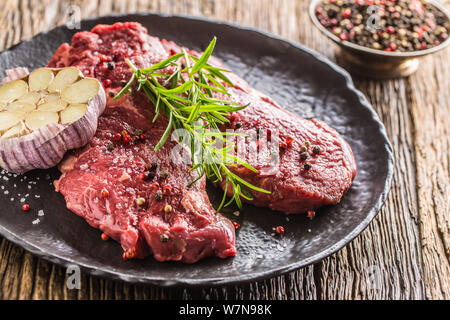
column 382, row 38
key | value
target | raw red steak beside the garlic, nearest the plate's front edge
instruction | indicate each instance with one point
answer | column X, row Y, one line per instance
column 103, row 181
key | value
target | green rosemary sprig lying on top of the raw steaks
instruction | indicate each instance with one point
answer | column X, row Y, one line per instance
column 186, row 97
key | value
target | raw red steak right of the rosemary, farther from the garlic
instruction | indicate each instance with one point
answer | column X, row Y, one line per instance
column 274, row 148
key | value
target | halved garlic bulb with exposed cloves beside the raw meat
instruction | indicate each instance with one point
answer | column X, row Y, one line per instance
column 46, row 113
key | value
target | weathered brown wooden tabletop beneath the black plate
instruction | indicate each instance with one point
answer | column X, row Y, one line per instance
column 405, row 250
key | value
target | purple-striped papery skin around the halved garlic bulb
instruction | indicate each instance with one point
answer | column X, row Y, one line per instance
column 45, row 147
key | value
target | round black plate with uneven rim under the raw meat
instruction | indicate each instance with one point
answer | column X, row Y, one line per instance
column 298, row 78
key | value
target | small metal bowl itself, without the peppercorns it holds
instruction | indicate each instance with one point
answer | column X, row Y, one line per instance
column 376, row 63
